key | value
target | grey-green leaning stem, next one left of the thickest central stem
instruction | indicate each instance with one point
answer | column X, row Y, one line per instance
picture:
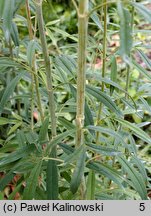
column 47, row 66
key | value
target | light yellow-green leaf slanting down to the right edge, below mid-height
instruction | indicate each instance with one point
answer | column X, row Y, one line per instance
column 136, row 130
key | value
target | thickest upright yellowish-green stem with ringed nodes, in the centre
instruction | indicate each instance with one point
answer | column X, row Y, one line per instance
column 81, row 77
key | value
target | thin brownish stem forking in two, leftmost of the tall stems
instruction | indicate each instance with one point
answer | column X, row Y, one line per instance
column 34, row 76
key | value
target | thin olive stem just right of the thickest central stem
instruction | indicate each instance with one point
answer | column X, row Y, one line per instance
column 104, row 64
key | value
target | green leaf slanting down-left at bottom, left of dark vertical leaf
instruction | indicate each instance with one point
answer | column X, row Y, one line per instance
column 31, row 182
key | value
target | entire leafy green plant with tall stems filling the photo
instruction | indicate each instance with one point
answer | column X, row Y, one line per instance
column 74, row 108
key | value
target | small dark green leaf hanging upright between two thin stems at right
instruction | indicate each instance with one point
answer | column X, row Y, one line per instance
column 113, row 75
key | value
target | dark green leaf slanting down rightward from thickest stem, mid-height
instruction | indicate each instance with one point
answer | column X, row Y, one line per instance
column 105, row 99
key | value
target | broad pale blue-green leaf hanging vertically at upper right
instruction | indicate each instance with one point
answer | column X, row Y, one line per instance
column 125, row 30
